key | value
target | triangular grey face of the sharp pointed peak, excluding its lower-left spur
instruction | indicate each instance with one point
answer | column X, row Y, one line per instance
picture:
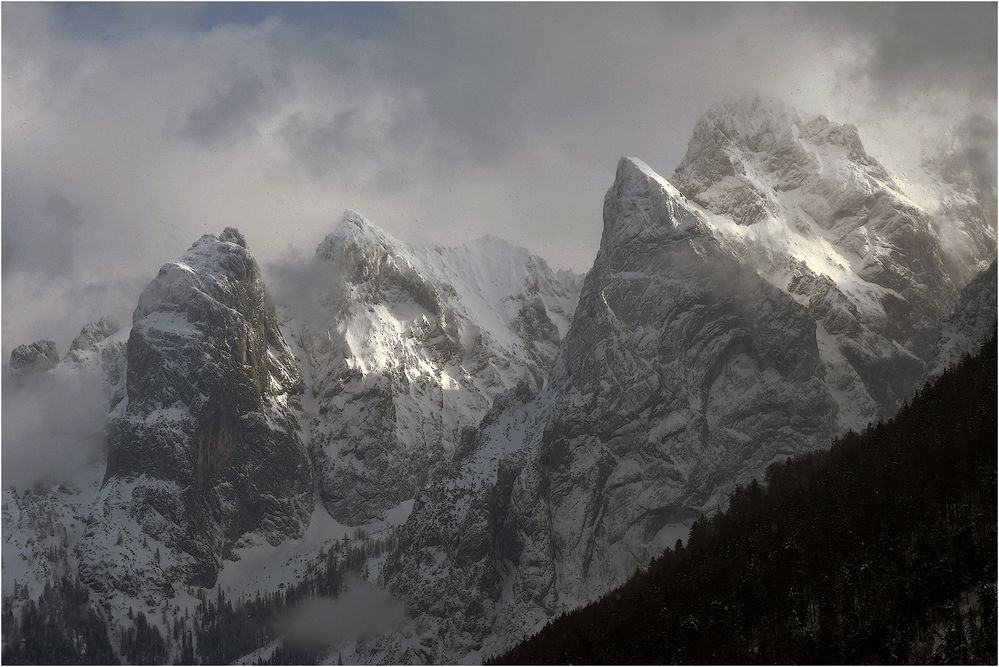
column 684, row 373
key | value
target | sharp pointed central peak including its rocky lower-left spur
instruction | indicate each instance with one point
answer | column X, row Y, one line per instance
column 683, row 373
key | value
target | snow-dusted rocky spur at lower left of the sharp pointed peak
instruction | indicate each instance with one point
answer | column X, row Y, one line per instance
column 456, row 550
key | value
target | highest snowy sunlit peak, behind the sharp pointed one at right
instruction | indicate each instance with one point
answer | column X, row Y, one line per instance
column 797, row 197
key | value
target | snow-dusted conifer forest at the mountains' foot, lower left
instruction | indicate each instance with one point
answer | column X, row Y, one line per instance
column 62, row 625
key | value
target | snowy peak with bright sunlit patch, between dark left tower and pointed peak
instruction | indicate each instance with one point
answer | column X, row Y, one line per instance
column 408, row 345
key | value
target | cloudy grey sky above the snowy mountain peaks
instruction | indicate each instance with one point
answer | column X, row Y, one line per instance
column 129, row 130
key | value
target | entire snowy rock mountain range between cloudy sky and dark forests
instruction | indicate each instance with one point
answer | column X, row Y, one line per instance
column 526, row 436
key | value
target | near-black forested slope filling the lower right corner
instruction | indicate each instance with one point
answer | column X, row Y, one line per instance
column 881, row 549
